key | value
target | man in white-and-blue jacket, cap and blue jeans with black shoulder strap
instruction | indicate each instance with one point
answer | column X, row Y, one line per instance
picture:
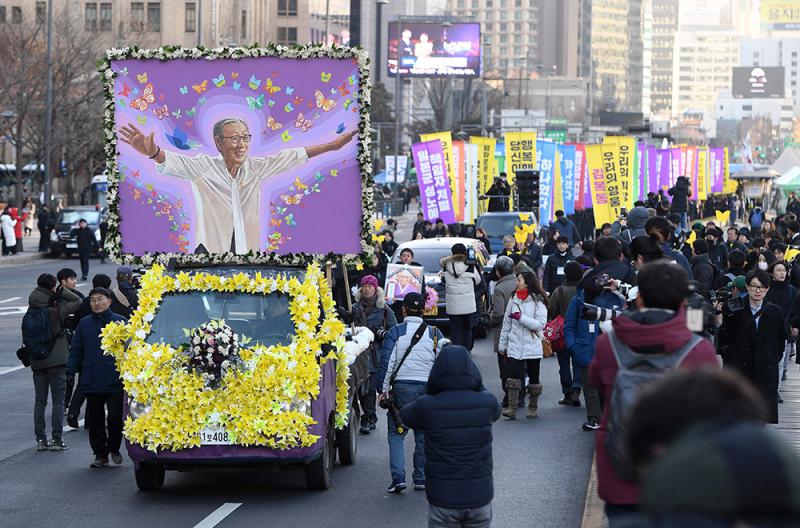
column 406, row 359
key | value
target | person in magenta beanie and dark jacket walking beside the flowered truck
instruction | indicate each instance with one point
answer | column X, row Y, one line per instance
column 370, row 310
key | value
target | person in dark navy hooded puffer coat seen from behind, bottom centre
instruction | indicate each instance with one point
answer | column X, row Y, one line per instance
column 456, row 416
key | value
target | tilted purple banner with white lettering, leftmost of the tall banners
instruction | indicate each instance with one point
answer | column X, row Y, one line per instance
column 434, row 189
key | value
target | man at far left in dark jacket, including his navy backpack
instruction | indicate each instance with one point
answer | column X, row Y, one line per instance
column 43, row 335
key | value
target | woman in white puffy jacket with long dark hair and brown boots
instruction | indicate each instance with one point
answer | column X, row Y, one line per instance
column 521, row 342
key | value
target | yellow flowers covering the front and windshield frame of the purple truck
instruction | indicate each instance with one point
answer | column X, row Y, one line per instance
column 258, row 406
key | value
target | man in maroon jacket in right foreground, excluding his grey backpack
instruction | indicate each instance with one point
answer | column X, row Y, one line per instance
column 657, row 326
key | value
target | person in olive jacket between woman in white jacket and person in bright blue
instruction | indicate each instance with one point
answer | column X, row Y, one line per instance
column 568, row 371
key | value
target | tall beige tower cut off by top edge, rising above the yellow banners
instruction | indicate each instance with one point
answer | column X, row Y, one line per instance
column 611, row 53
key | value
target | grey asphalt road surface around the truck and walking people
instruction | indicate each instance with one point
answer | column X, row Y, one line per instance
column 541, row 466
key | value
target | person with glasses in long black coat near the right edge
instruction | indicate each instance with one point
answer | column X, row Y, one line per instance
column 752, row 339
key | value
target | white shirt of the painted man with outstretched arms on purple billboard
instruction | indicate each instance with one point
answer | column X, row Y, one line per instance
column 228, row 208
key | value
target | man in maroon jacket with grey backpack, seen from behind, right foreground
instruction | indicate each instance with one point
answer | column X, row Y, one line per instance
column 654, row 336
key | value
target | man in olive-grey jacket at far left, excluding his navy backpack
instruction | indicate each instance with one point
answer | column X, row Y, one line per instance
column 49, row 374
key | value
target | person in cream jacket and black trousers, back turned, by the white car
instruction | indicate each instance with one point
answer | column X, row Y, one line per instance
column 461, row 281
